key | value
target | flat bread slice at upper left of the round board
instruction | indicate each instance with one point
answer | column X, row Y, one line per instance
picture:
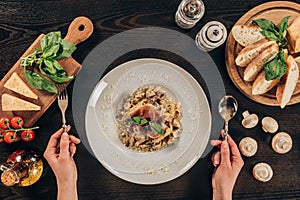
column 246, row 35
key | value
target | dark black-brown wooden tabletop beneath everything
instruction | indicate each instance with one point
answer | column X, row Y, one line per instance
column 22, row 21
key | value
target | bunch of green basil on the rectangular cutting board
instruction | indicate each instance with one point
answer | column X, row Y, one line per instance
column 53, row 48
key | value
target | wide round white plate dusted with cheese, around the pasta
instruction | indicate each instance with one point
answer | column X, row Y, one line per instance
column 147, row 167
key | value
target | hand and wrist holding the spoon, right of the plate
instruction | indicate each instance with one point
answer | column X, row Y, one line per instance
column 228, row 164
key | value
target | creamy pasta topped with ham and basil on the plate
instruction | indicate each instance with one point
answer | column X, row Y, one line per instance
column 149, row 120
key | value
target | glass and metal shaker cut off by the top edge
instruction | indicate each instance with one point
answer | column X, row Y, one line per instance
column 189, row 12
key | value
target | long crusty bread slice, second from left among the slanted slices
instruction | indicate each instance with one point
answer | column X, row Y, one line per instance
column 257, row 64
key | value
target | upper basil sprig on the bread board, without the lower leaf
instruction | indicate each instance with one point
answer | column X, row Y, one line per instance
column 268, row 29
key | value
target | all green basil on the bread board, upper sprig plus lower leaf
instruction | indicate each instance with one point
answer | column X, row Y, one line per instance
column 275, row 67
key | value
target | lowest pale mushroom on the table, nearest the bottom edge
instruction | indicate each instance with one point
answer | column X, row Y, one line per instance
column 262, row 172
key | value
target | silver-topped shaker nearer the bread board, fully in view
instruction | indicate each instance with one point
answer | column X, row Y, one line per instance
column 212, row 35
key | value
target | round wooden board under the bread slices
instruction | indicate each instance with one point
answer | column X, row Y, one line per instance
column 273, row 11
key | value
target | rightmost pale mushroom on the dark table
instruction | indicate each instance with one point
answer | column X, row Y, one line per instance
column 282, row 143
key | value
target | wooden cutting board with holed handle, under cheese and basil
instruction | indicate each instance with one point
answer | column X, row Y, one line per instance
column 79, row 30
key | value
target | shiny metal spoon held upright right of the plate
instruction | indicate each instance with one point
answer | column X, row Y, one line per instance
column 227, row 108
